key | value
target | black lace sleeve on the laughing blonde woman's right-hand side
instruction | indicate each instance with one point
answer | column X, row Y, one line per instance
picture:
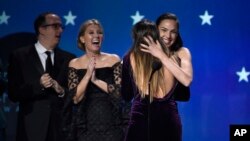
column 115, row 88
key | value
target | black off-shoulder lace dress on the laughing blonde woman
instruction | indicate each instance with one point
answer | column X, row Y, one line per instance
column 98, row 116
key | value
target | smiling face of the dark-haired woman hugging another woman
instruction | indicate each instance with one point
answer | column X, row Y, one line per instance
column 168, row 29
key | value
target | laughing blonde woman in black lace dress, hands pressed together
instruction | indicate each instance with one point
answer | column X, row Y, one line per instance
column 92, row 80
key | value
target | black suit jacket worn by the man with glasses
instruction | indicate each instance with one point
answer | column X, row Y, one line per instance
column 39, row 108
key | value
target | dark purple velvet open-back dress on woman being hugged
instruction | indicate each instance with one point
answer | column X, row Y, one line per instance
column 159, row 122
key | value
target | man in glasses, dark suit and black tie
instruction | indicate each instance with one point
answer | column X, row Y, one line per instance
column 38, row 90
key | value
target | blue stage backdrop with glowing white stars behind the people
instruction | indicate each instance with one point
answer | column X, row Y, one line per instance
column 217, row 32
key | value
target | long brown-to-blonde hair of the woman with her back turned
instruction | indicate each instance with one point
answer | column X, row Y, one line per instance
column 143, row 61
